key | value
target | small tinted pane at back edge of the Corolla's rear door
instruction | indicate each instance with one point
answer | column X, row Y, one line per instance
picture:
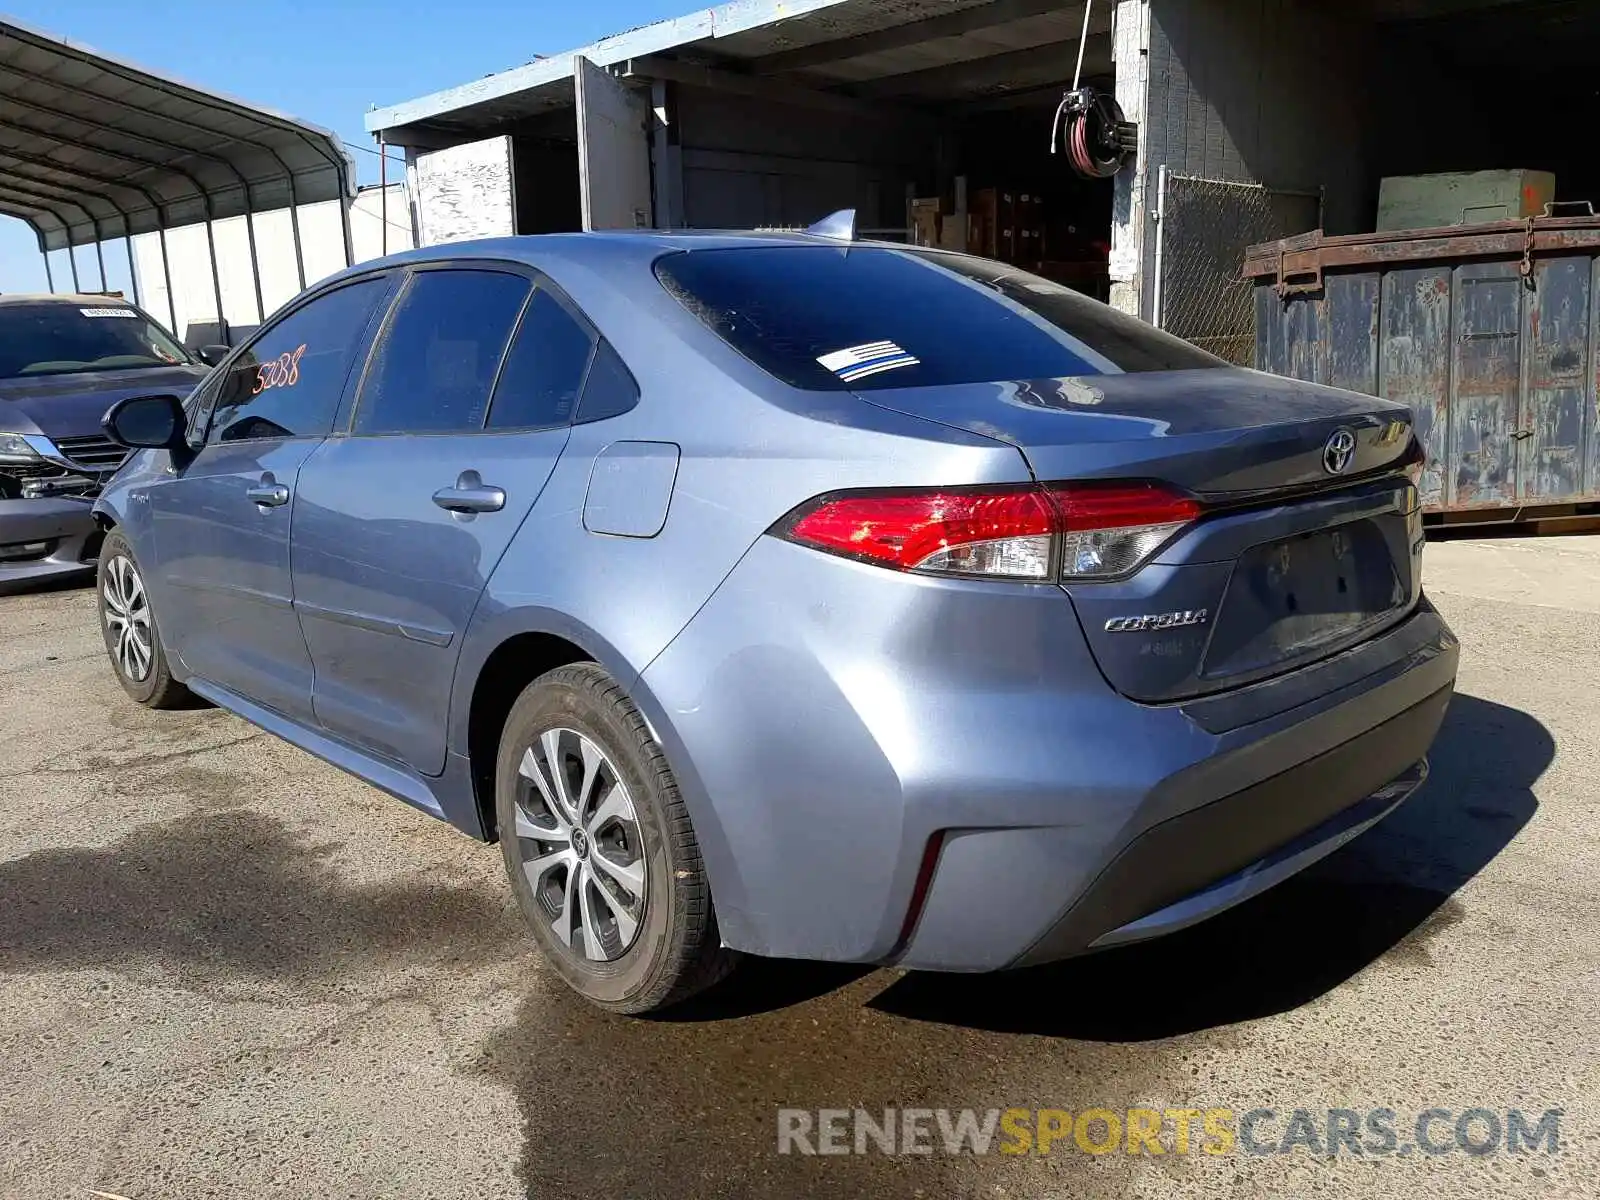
column 545, row 370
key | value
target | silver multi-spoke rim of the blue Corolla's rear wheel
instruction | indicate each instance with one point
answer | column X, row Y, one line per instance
column 582, row 846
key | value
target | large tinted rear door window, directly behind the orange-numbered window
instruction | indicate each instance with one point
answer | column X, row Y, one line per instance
column 441, row 353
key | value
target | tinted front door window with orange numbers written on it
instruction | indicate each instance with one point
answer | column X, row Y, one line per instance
column 290, row 380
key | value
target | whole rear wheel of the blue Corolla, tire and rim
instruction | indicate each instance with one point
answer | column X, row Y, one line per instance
column 599, row 850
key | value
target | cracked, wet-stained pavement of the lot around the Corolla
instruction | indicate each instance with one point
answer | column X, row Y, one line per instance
column 230, row 970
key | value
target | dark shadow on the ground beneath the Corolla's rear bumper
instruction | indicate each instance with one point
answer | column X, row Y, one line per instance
column 1388, row 894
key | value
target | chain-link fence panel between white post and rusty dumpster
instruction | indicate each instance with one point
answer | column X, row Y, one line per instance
column 1204, row 228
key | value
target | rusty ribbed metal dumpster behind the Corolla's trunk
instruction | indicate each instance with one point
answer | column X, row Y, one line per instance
column 1489, row 332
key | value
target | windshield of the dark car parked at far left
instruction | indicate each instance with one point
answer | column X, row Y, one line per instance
column 70, row 337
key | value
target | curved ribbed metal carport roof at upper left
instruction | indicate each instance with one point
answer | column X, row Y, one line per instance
column 94, row 148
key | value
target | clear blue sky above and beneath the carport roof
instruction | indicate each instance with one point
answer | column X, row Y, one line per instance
column 327, row 63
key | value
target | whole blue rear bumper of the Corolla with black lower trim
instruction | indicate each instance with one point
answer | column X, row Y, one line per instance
column 831, row 722
